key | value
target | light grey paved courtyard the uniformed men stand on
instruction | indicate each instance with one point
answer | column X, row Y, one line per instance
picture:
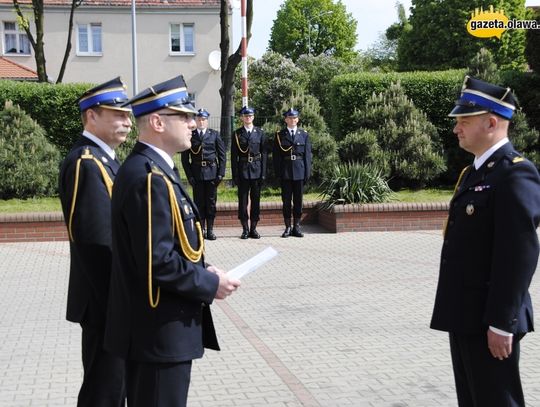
column 334, row 320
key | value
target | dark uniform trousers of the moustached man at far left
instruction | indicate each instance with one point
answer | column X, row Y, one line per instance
column 104, row 374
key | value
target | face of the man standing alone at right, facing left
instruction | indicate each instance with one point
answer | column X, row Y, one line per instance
column 474, row 133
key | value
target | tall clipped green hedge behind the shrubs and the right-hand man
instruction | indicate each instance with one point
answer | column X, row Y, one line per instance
column 432, row 92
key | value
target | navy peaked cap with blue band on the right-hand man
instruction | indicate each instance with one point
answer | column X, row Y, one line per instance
column 478, row 97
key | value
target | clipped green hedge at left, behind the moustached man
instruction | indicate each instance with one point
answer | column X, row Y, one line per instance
column 54, row 107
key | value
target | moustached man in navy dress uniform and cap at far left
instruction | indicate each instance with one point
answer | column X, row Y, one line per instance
column 85, row 185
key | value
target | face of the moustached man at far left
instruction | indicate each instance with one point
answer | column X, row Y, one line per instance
column 111, row 126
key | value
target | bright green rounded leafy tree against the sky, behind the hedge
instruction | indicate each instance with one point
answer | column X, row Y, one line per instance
column 313, row 27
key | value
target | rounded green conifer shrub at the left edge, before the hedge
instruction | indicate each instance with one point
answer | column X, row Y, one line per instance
column 28, row 162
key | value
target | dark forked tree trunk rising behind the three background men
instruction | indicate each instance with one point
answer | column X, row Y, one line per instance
column 228, row 65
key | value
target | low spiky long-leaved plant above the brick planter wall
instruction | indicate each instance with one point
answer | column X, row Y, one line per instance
column 350, row 183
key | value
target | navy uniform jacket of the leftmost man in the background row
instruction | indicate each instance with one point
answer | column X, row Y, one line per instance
column 206, row 159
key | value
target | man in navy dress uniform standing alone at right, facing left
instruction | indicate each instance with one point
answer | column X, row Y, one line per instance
column 490, row 252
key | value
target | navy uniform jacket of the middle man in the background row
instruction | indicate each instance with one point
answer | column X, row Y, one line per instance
column 248, row 154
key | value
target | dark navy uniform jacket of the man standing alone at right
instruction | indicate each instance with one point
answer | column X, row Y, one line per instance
column 490, row 248
